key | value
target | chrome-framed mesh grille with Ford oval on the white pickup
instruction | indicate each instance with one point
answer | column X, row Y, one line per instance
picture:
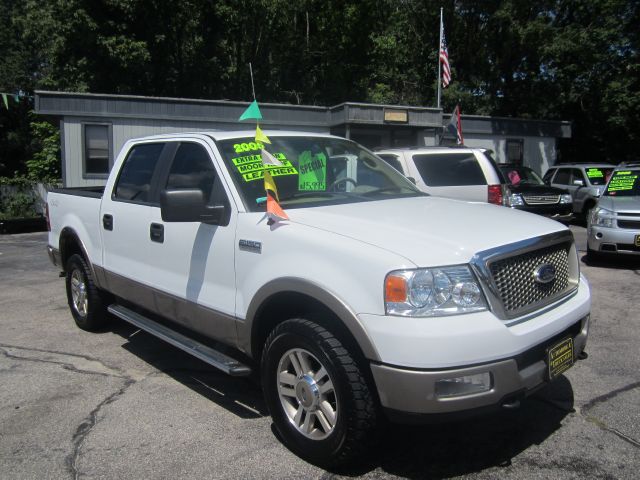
column 515, row 276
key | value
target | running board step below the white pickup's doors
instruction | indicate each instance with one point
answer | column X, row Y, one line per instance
column 207, row 354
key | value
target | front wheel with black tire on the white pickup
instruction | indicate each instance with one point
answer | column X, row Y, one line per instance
column 351, row 429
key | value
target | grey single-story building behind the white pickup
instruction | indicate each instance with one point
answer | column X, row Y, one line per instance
column 93, row 127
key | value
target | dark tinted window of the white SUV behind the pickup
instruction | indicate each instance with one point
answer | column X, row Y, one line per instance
column 449, row 169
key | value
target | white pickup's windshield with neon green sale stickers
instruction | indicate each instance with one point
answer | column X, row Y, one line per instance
column 309, row 171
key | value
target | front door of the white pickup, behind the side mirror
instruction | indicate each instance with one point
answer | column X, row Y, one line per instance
column 192, row 265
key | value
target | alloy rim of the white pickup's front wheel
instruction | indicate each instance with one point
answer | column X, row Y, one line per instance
column 307, row 394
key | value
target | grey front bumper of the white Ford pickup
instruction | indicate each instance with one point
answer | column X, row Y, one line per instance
column 410, row 391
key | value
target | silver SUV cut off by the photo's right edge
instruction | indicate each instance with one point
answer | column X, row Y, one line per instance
column 613, row 225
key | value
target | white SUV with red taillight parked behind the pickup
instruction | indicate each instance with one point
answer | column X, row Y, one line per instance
column 454, row 172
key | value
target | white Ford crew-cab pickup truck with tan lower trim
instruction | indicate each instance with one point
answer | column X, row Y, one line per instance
column 372, row 300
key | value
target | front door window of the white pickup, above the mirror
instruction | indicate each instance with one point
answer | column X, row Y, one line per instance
column 192, row 168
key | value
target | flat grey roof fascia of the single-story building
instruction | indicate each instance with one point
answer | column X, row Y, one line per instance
column 226, row 112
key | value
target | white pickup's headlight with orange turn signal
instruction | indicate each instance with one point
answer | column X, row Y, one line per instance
column 431, row 292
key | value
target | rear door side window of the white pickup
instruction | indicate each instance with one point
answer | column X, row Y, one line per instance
column 134, row 181
